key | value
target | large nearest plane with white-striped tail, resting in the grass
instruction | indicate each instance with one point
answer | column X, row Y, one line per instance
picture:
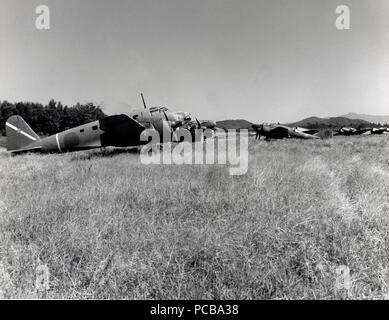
column 117, row 131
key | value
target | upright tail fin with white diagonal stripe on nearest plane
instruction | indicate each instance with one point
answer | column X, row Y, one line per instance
column 19, row 134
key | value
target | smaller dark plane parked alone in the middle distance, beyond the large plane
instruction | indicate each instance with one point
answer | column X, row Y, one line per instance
column 280, row 132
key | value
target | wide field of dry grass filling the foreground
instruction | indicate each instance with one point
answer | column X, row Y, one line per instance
column 107, row 226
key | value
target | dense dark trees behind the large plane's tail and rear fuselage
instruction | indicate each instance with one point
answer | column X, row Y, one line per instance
column 51, row 118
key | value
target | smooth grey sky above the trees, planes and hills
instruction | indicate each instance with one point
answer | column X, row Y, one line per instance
column 260, row 60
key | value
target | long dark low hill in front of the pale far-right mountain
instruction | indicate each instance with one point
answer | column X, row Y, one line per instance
column 334, row 122
